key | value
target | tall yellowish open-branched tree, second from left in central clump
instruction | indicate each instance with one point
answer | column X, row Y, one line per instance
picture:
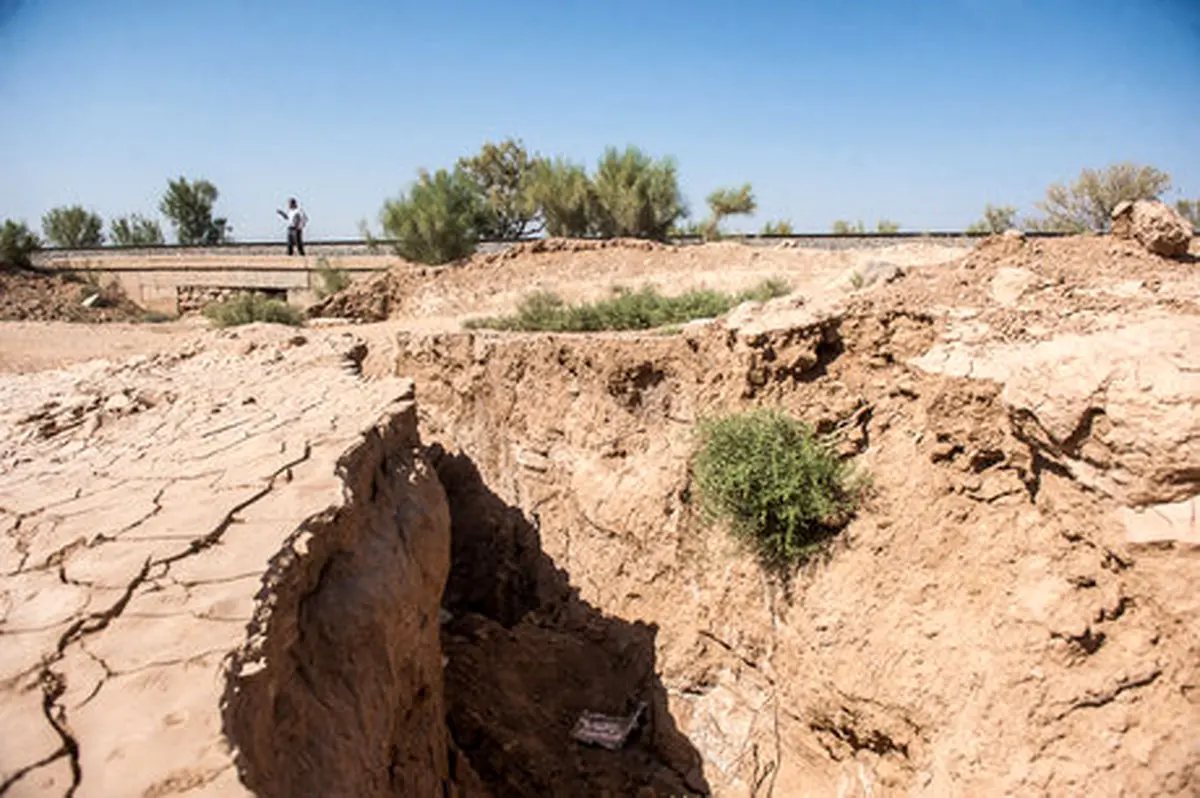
column 503, row 173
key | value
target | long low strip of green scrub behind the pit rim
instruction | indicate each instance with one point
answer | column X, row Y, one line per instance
column 627, row 310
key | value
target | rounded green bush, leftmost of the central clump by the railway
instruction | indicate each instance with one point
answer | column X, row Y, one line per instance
column 437, row 221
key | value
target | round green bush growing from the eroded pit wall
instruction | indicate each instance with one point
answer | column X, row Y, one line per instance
column 781, row 487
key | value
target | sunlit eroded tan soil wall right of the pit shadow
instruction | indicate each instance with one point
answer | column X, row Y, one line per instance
column 999, row 620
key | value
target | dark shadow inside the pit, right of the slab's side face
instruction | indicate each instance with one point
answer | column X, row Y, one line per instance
column 526, row 657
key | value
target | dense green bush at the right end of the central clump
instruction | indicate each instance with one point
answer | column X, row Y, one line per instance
column 638, row 196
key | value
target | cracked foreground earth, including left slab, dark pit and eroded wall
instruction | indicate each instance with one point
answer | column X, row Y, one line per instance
column 237, row 569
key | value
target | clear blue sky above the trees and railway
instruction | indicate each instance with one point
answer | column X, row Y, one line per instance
column 916, row 111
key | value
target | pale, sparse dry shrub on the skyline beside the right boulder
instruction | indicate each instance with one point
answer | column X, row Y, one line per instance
column 1088, row 203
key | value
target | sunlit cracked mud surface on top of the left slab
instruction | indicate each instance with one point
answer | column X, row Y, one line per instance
column 141, row 507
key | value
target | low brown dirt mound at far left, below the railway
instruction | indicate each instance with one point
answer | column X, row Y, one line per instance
column 38, row 297
